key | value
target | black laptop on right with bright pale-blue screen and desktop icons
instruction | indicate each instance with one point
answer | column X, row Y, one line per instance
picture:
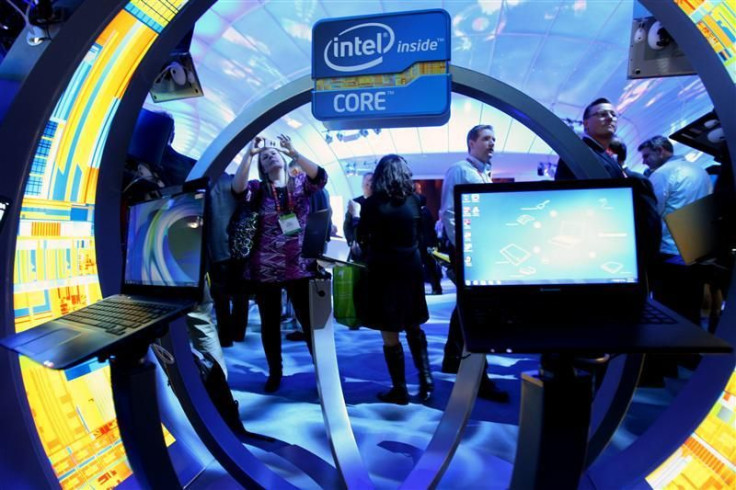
column 556, row 266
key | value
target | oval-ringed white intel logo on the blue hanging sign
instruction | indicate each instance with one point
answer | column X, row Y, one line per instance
column 365, row 42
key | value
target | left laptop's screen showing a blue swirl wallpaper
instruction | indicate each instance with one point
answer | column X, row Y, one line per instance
column 164, row 241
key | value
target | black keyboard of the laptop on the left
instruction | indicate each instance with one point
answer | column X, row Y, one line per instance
column 118, row 316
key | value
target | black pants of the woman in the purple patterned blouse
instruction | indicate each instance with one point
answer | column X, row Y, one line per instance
column 268, row 297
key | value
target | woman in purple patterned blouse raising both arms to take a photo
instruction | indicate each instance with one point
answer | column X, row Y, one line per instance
column 275, row 263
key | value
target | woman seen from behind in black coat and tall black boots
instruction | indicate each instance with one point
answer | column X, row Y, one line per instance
column 389, row 234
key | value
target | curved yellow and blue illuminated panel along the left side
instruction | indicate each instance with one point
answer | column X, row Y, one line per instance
column 55, row 258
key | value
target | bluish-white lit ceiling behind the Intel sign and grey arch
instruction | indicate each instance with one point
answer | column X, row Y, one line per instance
column 563, row 53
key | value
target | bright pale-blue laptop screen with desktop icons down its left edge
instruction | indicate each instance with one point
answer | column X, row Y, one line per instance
column 573, row 236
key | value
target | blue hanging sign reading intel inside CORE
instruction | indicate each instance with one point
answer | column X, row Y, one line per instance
column 383, row 70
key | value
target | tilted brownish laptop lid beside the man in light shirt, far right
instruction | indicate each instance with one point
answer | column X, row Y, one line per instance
column 696, row 229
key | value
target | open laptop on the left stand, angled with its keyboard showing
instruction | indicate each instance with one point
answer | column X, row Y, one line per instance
column 162, row 278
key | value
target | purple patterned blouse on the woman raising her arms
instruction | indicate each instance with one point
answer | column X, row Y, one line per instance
column 276, row 257
